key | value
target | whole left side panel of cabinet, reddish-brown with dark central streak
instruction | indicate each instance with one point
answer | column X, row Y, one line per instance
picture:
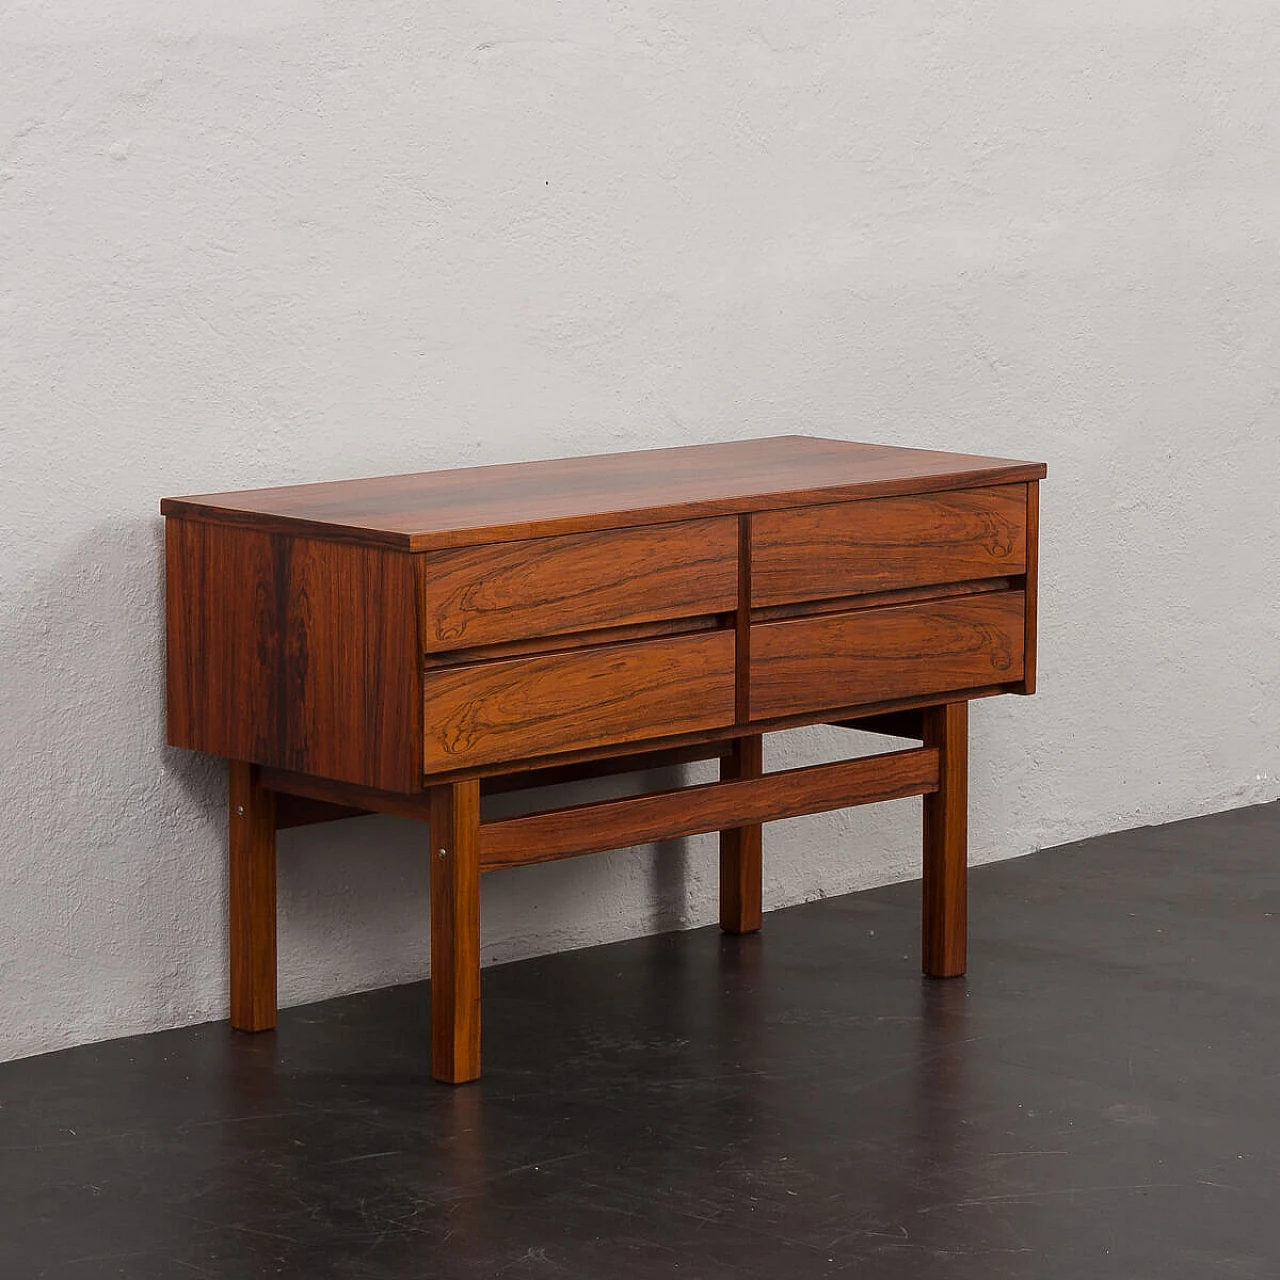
column 295, row 653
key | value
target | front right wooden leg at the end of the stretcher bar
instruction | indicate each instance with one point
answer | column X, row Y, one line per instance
column 947, row 843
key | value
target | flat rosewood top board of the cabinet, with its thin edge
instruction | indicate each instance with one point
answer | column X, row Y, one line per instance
column 534, row 500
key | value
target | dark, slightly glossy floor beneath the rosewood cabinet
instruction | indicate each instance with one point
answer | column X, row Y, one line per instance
column 1100, row 1099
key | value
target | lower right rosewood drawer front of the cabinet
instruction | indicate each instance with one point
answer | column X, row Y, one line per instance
column 870, row 656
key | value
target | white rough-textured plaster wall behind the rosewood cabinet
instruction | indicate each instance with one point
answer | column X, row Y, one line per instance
column 253, row 245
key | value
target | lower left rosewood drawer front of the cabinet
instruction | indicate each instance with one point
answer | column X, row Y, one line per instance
column 518, row 708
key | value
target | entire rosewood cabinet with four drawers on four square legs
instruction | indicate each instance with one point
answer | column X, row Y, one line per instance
column 405, row 644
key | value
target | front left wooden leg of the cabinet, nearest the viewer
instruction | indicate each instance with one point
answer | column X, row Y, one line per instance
column 456, row 932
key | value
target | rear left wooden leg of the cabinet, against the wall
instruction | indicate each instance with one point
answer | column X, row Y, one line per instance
column 252, row 849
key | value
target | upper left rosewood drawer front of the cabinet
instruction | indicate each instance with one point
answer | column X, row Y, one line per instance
column 501, row 592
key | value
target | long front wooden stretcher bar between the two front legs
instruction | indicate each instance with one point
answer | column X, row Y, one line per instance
column 591, row 829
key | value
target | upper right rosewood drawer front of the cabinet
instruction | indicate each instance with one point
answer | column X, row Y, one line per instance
column 885, row 545
